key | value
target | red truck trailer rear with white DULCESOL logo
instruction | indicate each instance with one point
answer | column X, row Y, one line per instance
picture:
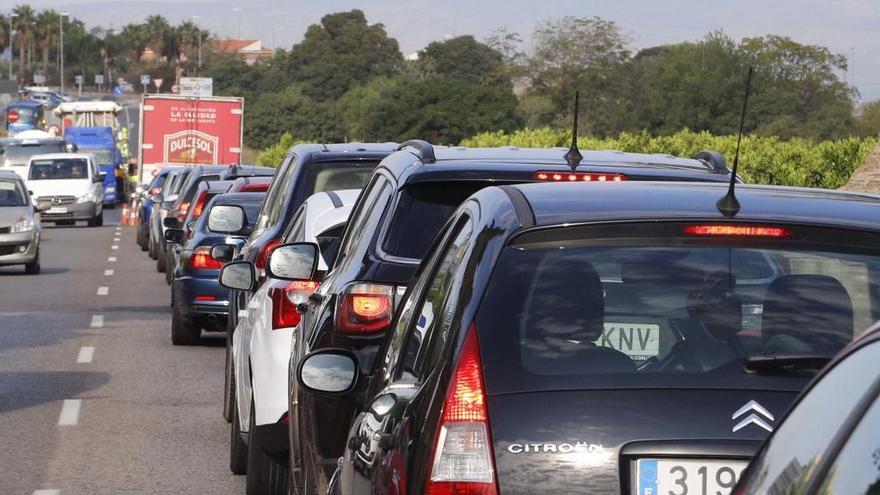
column 188, row 130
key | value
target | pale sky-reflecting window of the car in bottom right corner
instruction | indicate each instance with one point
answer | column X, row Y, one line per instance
column 800, row 443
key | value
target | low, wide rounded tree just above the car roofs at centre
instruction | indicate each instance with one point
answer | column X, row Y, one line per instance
column 440, row 110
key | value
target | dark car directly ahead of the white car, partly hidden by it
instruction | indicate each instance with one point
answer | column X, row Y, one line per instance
column 304, row 170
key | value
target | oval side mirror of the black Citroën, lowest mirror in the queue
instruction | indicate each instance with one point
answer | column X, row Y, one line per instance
column 328, row 371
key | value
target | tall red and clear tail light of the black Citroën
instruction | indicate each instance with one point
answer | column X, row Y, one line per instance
column 461, row 462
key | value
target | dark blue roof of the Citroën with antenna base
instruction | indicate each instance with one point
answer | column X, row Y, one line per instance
column 555, row 203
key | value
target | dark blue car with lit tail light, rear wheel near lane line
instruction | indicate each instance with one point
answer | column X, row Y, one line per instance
column 197, row 300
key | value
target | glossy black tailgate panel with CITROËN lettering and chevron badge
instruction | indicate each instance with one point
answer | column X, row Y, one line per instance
column 588, row 441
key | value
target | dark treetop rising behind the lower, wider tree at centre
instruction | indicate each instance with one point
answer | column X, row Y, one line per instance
column 467, row 59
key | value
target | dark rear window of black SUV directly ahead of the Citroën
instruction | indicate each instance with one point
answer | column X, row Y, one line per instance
column 421, row 212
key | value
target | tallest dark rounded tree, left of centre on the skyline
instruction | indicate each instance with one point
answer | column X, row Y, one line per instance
column 340, row 53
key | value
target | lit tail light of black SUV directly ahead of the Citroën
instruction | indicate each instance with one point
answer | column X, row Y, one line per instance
column 365, row 308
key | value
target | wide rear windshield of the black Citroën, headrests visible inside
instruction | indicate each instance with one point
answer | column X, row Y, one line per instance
column 582, row 313
